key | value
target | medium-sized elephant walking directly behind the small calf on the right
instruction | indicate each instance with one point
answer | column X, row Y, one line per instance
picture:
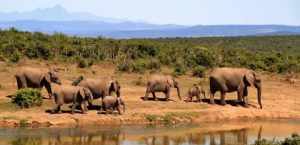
column 161, row 83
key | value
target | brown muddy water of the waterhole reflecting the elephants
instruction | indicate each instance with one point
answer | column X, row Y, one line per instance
column 236, row 133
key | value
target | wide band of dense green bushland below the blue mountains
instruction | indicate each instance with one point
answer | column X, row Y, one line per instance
column 278, row 54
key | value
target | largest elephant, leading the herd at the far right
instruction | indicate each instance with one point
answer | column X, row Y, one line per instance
column 234, row 79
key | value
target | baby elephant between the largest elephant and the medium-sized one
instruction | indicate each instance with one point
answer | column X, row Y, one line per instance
column 197, row 91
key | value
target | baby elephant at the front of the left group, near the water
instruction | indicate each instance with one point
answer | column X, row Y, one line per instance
column 113, row 103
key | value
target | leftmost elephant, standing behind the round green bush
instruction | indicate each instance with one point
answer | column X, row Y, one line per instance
column 28, row 77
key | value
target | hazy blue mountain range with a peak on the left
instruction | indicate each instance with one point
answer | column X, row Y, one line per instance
column 58, row 19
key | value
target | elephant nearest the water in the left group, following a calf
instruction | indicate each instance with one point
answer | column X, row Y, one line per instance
column 65, row 94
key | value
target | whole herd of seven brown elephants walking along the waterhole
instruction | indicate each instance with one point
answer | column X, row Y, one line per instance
column 83, row 90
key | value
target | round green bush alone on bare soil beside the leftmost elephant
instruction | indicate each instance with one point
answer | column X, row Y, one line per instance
column 28, row 97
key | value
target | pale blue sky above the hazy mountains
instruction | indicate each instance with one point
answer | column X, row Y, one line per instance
column 186, row 12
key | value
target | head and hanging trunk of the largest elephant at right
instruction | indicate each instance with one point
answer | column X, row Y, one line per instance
column 252, row 79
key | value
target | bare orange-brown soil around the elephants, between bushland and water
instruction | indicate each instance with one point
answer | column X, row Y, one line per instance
column 280, row 101
